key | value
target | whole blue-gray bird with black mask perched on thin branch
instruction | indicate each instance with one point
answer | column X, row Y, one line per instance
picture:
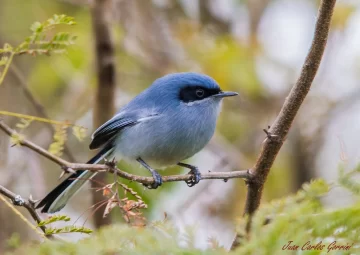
column 165, row 124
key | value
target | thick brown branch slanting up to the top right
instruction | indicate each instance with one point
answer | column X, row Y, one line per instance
column 280, row 128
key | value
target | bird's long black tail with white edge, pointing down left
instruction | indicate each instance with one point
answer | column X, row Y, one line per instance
column 61, row 194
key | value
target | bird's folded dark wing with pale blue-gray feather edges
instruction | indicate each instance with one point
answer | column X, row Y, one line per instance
column 110, row 129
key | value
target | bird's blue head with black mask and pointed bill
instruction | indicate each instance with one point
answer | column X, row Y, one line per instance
column 190, row 88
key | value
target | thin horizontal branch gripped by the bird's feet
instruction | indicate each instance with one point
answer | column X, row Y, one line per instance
column 70, row 167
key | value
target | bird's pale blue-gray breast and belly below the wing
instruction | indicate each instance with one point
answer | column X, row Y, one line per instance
column 168, row 139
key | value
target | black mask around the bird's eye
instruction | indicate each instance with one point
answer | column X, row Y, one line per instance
column 195, row 93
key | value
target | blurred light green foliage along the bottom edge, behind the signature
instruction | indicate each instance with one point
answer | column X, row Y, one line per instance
column 298, row 218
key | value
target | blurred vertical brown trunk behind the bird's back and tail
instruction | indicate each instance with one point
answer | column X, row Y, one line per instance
column 104, row 98
